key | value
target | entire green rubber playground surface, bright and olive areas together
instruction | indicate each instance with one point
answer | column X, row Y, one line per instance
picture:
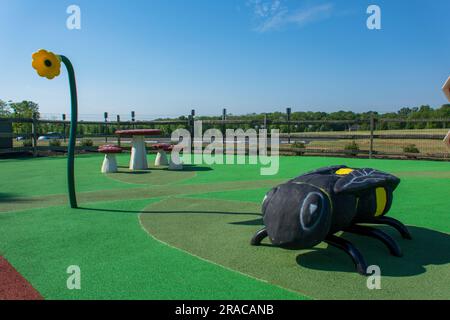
column 185, row 235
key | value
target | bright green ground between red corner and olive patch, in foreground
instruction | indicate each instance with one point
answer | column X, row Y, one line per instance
column 118, row 260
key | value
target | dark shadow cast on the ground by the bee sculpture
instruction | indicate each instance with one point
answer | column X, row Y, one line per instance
column 427, row 248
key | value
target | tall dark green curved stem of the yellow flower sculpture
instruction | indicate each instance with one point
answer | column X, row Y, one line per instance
column 73, row 132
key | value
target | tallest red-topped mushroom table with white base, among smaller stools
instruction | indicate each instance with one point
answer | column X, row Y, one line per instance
column 138, row 160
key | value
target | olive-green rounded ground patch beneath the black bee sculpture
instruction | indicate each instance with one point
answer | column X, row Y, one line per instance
column 223, row 232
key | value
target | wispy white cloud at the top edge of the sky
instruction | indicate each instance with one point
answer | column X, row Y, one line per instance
column 274, row 14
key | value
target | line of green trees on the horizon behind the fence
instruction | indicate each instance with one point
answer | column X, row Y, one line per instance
column 26, row 109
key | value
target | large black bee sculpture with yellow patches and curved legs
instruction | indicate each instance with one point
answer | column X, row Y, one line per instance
column 311, row 208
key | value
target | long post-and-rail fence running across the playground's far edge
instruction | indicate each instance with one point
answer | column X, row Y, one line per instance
column 374, row 137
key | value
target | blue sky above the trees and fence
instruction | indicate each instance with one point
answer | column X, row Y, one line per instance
column 164, row 57
